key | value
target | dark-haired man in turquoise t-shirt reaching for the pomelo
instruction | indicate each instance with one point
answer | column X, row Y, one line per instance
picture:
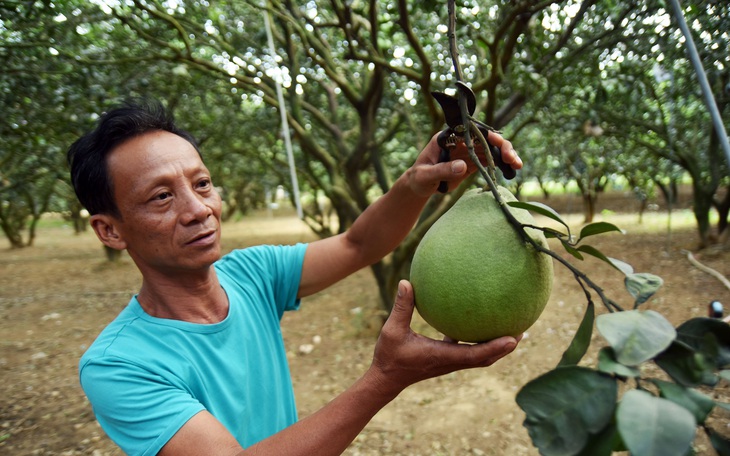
column 195, row 364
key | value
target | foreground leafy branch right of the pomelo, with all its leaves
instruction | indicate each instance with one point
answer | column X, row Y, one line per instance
column 575, row 410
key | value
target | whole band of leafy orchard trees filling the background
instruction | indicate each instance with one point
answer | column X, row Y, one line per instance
column 587, row 91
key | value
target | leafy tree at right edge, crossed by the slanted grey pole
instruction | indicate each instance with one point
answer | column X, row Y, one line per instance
column 656, row 104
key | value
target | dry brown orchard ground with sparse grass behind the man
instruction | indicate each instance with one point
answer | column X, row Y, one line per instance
column 56, row 296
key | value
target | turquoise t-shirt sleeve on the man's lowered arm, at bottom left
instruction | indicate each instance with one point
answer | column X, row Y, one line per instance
column 139, row 410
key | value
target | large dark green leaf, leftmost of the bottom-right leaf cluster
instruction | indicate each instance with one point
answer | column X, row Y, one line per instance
column 564, row 406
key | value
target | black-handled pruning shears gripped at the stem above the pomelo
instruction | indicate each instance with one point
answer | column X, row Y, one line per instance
column 451, row 136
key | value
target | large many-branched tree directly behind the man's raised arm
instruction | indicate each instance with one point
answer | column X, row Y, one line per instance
column 359, row 78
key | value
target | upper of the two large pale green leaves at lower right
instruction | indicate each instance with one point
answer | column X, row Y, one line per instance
column 636, row 336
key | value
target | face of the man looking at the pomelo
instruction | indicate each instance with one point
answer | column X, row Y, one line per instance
column 170, row 211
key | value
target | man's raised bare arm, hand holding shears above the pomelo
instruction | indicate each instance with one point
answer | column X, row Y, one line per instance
column 386, row 222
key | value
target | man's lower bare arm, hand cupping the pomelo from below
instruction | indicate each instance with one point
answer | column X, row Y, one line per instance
column 401, row 359
